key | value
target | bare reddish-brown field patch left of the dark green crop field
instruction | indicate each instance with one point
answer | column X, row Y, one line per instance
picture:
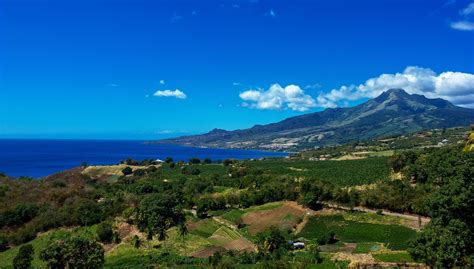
column 286, row 217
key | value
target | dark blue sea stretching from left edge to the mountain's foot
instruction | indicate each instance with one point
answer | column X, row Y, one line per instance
column 38, row 158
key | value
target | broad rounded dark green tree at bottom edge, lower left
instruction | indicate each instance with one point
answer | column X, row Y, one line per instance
column 73, row 252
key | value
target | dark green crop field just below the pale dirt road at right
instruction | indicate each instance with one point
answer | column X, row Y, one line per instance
column 393, row 236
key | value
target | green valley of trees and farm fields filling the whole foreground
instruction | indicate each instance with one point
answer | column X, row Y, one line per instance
column 204, row 213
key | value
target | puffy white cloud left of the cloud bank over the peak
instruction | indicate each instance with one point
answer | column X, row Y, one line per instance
column 276, row 97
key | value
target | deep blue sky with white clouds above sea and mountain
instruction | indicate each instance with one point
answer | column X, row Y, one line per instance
column 153, row 69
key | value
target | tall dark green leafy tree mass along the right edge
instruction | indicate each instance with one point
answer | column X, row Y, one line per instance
column 448, row 240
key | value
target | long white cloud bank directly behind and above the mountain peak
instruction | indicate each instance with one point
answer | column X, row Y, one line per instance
column 456, row 87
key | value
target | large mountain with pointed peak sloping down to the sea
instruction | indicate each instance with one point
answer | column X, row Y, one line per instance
column 394, row 112
